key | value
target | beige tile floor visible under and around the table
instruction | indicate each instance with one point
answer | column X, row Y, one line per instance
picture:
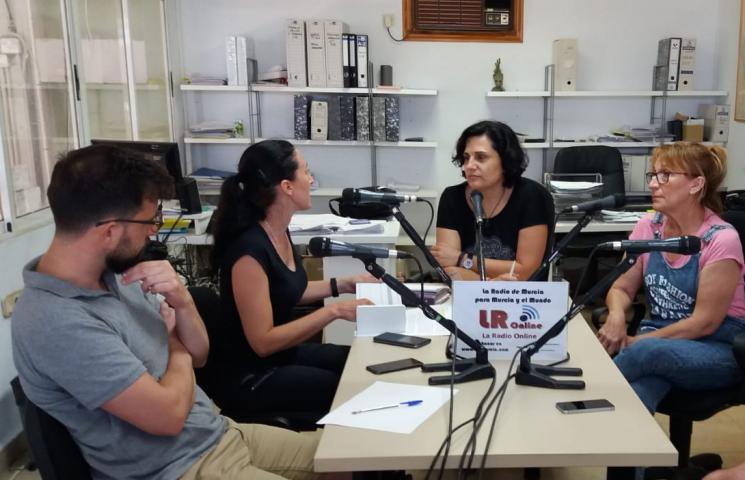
column 724, row 434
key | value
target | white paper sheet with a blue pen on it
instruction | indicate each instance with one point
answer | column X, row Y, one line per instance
column 396, row 420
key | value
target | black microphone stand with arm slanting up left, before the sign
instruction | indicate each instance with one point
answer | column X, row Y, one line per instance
column 468, row 370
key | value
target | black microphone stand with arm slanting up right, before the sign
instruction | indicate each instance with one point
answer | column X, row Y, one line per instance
column 540, row 376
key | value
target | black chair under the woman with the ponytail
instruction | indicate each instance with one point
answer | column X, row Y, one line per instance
column 209, row 377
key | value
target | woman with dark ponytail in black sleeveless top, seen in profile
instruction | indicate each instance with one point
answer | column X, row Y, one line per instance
column 261, row 281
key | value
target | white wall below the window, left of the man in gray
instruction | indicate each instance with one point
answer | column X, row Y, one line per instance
column 14, row 254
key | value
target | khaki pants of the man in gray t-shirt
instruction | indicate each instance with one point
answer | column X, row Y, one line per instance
column 258, row 452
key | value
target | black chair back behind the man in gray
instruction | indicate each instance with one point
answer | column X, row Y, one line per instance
column 53, row 450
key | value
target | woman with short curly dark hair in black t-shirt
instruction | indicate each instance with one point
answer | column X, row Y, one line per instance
column 518, row 212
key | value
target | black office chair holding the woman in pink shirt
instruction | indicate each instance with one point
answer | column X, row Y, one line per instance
column 685, row 406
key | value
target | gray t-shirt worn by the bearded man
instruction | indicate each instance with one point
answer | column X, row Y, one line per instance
column 75, row 349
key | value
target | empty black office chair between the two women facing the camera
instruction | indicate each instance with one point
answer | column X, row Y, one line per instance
column 607, row 162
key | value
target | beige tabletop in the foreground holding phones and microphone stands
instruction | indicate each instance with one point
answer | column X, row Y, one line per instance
column 529, row 432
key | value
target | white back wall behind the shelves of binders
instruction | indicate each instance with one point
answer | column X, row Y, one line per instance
column 617, row 49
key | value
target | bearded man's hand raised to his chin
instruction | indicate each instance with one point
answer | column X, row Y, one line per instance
column 159, row 277
